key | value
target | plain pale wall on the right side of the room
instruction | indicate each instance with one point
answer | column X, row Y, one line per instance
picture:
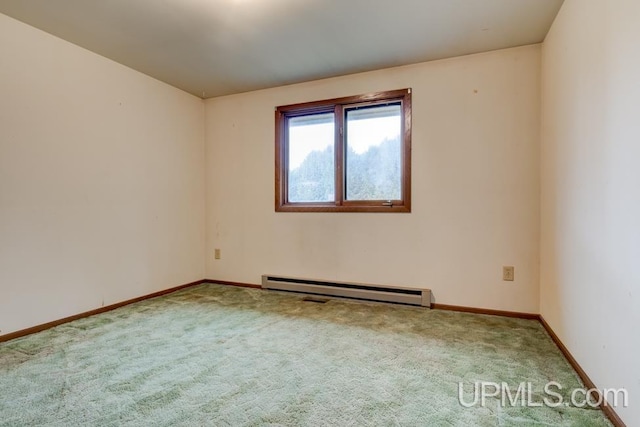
column 590, row 265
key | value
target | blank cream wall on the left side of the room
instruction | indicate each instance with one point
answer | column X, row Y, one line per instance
column 101, row 181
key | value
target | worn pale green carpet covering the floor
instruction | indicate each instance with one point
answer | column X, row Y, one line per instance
column 217, row 355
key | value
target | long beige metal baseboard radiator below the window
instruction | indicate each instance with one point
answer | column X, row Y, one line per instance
column 395, row 294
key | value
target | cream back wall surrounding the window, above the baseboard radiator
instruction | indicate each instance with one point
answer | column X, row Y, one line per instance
column 475, row 187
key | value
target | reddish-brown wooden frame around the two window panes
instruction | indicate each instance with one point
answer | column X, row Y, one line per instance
column 338, row 106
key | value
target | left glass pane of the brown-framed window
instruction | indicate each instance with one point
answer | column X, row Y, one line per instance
column 311, row 158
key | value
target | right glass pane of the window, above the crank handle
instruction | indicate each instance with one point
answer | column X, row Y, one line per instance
column 374, row 153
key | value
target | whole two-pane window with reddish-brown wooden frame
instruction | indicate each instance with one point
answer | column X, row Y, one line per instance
column 345, row 155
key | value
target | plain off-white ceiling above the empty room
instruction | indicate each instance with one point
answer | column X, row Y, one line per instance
column 219, row 47
